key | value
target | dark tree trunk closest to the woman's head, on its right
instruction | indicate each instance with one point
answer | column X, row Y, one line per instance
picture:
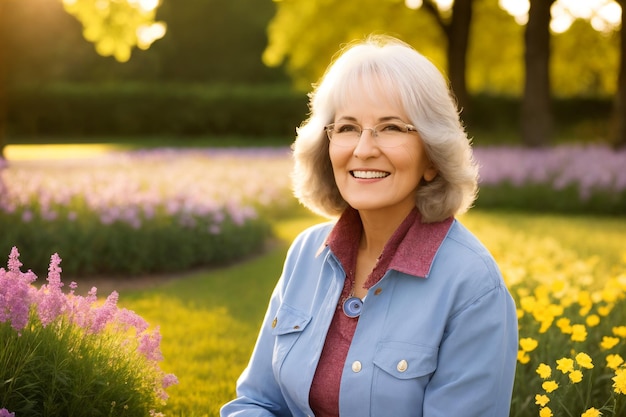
column 458, row 43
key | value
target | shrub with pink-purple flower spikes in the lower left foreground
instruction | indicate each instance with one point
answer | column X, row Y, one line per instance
column 65, row 354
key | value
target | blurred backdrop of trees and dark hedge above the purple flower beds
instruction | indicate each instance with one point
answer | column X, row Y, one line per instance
column 533, row 73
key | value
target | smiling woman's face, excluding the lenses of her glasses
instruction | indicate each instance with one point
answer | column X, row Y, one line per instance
column 374, row 178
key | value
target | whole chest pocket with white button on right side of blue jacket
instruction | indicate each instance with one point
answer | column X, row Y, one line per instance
column 401, row 373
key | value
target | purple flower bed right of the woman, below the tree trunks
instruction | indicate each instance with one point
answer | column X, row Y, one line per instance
column 566, row 179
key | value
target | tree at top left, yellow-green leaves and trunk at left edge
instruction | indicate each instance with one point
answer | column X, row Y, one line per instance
column 114, row 27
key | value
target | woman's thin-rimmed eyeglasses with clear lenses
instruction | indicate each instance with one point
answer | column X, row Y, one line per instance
column 386, row 134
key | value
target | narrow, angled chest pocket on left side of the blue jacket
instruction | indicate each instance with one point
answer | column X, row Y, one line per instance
column 287, row 326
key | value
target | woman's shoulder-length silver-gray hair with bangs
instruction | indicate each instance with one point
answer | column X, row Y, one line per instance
column 423, row 92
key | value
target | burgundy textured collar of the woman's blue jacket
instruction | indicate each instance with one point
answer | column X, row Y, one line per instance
column 410, row 250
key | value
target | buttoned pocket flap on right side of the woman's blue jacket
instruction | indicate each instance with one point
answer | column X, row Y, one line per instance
column 406, row 360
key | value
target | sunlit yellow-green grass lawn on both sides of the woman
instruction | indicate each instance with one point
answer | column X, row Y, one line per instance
column 209, row 320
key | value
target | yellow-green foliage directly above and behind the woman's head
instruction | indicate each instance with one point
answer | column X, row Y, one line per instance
column 306, row 52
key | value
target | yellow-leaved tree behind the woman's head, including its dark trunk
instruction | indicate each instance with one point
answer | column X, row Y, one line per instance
column 292, row 41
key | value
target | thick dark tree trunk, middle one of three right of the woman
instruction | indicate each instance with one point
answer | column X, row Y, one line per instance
column 536, row 109
